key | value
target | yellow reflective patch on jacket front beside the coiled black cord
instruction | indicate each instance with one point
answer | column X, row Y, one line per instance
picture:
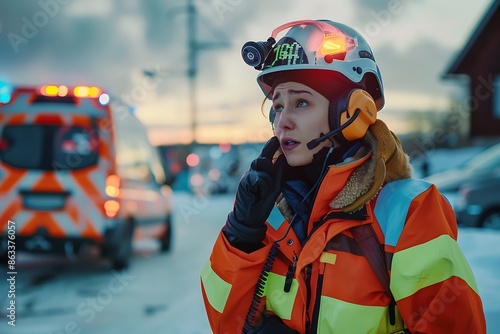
column 277, row 300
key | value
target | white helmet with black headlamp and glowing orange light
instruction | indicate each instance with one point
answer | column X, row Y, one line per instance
column 316, row 45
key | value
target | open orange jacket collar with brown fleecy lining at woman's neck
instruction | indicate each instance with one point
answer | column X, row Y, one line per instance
column 349, row 185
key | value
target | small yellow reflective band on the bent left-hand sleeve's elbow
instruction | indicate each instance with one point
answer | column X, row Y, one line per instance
column 216, row 289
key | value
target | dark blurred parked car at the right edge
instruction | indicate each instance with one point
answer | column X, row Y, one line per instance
column 478, row 203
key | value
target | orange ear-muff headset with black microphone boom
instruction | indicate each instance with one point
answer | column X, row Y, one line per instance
column 349, row 115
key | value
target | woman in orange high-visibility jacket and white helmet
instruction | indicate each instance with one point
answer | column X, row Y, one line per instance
column 354, row 244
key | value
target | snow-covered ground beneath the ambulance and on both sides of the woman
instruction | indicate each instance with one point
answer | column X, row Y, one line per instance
column 160, row 293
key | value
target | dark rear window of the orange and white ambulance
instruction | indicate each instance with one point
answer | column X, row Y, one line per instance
column 48, row 147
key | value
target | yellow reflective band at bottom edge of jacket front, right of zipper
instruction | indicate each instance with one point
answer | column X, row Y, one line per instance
column 337, row 316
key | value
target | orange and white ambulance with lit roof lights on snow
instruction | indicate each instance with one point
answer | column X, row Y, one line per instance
column 77, row 172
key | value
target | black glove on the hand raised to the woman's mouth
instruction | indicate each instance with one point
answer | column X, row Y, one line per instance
column 257, row 191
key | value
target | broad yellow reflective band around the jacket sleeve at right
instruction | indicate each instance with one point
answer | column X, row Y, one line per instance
column 427, row 264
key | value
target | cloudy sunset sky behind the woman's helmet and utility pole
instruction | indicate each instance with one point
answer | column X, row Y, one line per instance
column 111, row 42
